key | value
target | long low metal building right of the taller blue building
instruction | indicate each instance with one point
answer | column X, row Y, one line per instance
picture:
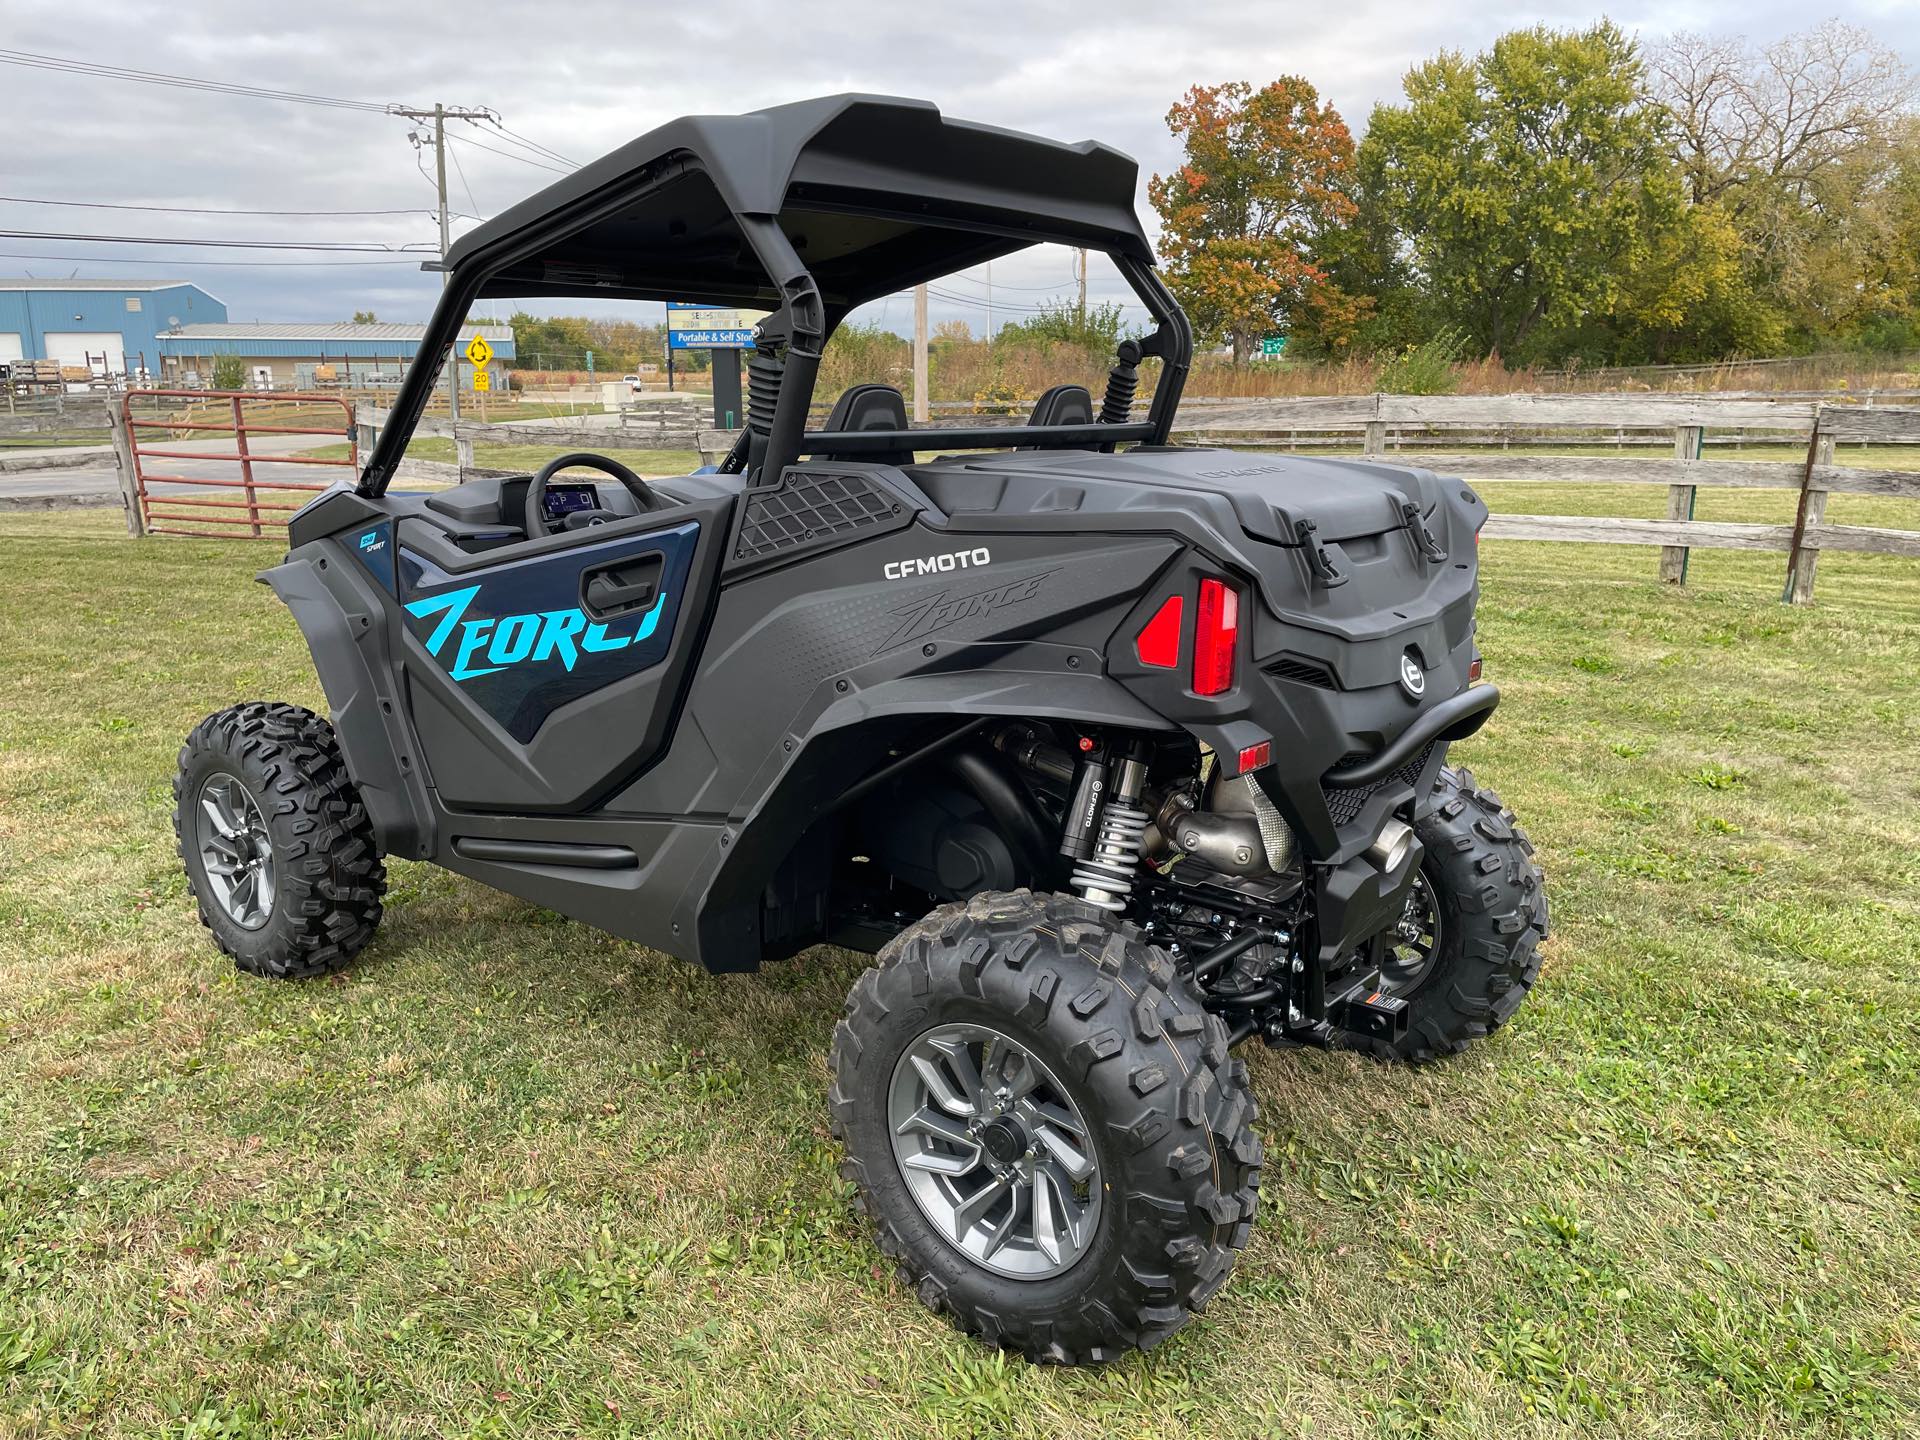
column 283, row 356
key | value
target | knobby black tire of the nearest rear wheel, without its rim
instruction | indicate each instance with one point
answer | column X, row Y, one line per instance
column 1168, row 1118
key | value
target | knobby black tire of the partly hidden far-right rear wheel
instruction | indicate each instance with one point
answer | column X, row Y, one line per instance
column 1493, row 913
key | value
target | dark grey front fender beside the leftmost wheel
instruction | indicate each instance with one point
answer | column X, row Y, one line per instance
column 343, row 617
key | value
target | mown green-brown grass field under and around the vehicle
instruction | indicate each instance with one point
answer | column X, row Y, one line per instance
column 512, row 1178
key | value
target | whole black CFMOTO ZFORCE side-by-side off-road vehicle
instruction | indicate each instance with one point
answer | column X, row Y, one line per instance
column 1116, row 754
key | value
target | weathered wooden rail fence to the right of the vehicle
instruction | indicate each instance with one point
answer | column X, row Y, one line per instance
column 1385, row 423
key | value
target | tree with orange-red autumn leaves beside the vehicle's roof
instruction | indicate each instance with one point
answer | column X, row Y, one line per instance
column 1262, row 187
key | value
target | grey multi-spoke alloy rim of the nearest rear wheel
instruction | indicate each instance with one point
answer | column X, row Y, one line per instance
column 994, row 1151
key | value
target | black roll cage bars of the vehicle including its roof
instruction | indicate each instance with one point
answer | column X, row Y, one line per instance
column 809, row 212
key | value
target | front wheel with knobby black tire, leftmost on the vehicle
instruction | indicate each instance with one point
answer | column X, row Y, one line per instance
column 320, row 871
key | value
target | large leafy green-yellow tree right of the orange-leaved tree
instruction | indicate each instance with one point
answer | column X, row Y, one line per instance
column 1527, row 183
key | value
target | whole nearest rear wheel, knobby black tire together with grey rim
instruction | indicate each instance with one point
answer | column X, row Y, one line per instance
column 1122, row 1120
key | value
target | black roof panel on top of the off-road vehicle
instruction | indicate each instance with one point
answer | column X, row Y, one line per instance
column 875, row 195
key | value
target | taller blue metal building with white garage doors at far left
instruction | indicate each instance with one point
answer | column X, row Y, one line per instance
column 105, row 327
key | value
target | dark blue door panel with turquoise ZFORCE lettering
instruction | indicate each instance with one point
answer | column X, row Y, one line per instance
column 519, row 640
